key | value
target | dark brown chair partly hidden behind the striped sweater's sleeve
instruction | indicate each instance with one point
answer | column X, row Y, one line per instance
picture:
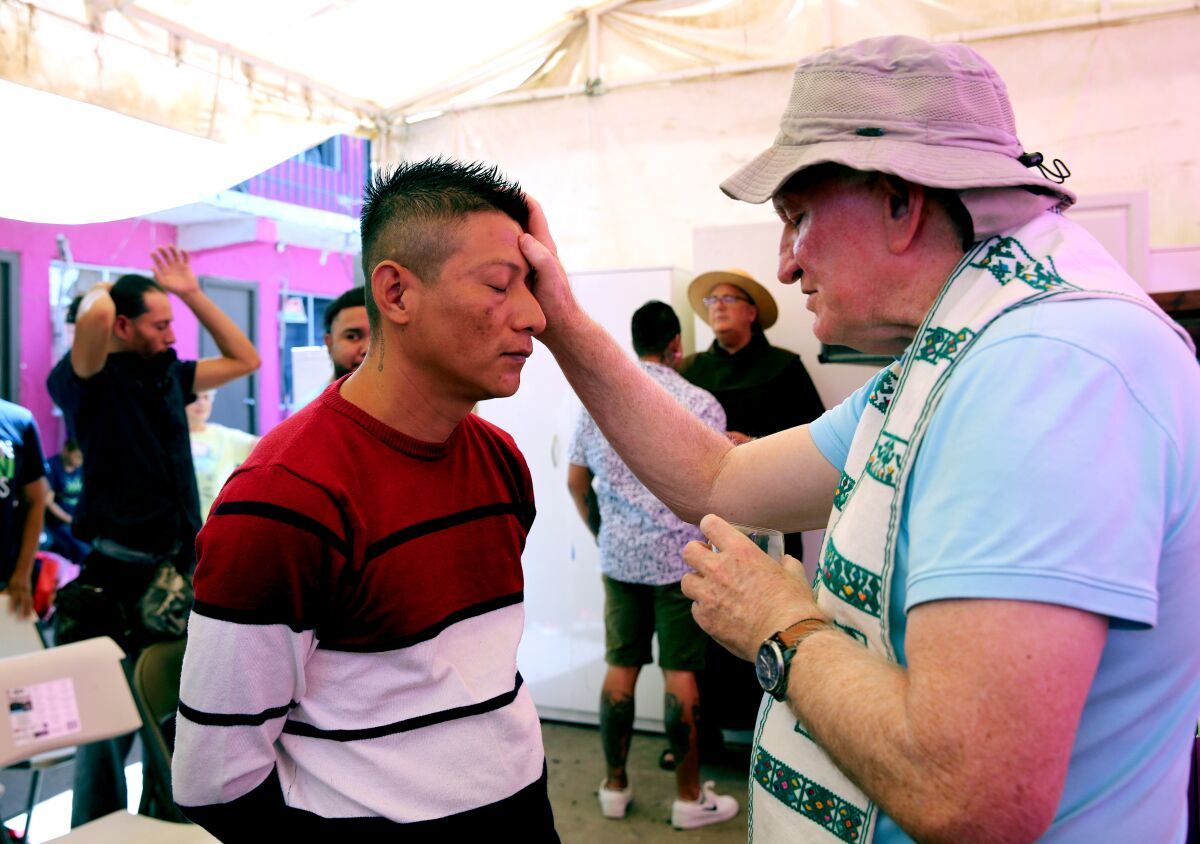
column 157, row 678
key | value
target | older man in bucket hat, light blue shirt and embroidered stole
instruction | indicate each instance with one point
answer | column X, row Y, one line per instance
column 1000, row 644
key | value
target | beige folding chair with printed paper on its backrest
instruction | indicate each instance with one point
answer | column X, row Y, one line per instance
column 71, row 696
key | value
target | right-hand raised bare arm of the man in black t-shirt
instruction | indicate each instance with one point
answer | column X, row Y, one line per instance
column 173, row 271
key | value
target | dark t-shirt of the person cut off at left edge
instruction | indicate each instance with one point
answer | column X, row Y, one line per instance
column 21, row 464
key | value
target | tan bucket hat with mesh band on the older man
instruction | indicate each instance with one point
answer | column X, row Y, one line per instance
column 934, row 115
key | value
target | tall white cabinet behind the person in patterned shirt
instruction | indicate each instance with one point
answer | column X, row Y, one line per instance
column 562, row 653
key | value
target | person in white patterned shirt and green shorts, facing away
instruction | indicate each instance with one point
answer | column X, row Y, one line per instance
column 640, row 546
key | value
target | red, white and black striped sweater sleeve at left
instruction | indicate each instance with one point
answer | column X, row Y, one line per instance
column 268, row 560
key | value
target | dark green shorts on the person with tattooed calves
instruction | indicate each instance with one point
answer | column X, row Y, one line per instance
column 634, row 613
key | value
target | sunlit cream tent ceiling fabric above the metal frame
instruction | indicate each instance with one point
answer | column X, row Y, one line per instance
column 232, row 71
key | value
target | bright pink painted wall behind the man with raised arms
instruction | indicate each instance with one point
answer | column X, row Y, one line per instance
column 128, row 244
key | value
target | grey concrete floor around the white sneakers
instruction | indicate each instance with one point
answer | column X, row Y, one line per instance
column 577, row 765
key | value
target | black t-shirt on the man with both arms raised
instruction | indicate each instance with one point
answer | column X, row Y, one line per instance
column 139, row 482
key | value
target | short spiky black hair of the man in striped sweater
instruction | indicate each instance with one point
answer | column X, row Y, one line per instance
column 409, row 213
